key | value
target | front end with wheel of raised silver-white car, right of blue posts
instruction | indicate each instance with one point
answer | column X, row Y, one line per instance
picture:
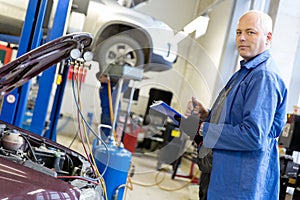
column 123, row 35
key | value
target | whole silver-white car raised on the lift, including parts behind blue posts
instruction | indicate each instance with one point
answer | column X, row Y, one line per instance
column 122, row 35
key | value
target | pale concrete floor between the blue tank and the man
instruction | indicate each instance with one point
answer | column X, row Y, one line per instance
column 149, row 183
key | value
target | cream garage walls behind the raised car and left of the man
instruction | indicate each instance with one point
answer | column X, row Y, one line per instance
column 195, row 72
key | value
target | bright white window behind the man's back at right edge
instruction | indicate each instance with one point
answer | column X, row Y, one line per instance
column 286, row 50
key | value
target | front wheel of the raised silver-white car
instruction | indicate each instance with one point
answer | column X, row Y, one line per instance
column 120, row 49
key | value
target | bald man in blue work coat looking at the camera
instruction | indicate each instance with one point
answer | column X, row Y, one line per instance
column 246, row 119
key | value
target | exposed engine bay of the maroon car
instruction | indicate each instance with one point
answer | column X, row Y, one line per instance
column 45, row 156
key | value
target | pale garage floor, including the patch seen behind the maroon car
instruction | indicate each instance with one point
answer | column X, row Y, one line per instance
column 148, row 183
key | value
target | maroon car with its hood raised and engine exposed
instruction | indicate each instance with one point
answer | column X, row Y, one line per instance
column 31, row 166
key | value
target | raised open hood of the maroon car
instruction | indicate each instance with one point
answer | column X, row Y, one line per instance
column 25, row 67
